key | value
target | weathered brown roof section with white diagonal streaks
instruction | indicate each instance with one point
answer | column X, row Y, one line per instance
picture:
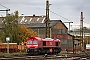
column 31, row 19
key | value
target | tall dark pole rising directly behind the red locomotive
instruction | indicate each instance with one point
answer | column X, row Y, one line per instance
column 47, row 20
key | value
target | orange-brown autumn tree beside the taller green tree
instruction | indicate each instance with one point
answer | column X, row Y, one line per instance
column 25, row 32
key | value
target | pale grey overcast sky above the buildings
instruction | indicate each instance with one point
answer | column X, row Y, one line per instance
column 64, row 10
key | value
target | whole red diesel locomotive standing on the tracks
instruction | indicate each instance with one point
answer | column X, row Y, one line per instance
column 36, row 45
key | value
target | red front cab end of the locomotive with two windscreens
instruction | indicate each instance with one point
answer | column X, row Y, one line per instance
column 32, row 45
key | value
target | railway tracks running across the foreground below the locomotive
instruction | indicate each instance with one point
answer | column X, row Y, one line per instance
column 48, row 57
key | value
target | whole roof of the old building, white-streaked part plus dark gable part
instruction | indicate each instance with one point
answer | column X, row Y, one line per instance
column 35, row 21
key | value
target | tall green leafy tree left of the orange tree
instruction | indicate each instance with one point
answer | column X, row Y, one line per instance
column 10, row 26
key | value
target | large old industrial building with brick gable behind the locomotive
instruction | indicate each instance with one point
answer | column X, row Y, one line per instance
column 57, row 29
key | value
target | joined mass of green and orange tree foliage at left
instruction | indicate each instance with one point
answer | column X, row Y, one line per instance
column 17, row 33
